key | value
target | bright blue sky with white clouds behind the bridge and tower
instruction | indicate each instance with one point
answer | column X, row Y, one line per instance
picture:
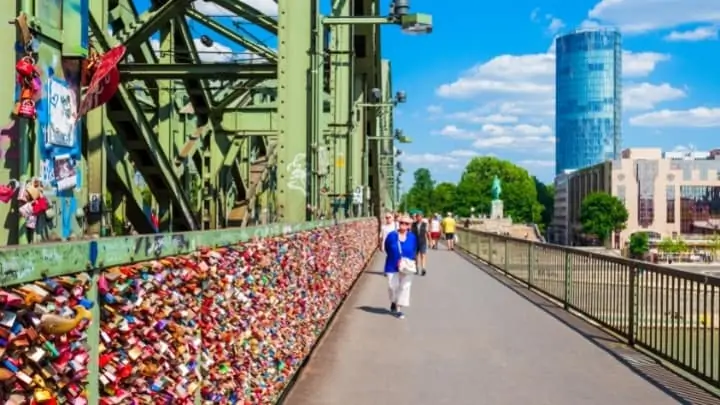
column 482, row 84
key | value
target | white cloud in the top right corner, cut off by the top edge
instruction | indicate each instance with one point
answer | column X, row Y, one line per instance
column 638, row 16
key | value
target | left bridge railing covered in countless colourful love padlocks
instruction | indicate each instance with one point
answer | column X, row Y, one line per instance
column 222, row 316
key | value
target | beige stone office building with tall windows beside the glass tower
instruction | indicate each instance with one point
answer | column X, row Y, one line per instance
column 666, row 194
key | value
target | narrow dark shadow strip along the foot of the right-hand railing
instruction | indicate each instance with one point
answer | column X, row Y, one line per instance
column 684, row 391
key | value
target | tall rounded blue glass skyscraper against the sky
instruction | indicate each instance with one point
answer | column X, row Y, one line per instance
column 588, row 98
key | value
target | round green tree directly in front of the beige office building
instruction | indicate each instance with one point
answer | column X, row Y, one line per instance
column 601, row 214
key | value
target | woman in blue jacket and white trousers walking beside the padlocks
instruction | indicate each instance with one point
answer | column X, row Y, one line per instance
column 399, row 244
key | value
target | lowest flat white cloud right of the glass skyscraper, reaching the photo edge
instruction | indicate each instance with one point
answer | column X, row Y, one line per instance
column 701, row 117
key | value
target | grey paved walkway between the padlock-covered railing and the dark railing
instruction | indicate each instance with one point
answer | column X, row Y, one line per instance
column 468, row 339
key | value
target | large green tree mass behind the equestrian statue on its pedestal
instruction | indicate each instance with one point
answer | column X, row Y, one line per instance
column 519, row 194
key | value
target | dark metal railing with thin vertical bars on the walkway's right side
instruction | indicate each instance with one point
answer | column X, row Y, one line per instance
column 672, row 313
